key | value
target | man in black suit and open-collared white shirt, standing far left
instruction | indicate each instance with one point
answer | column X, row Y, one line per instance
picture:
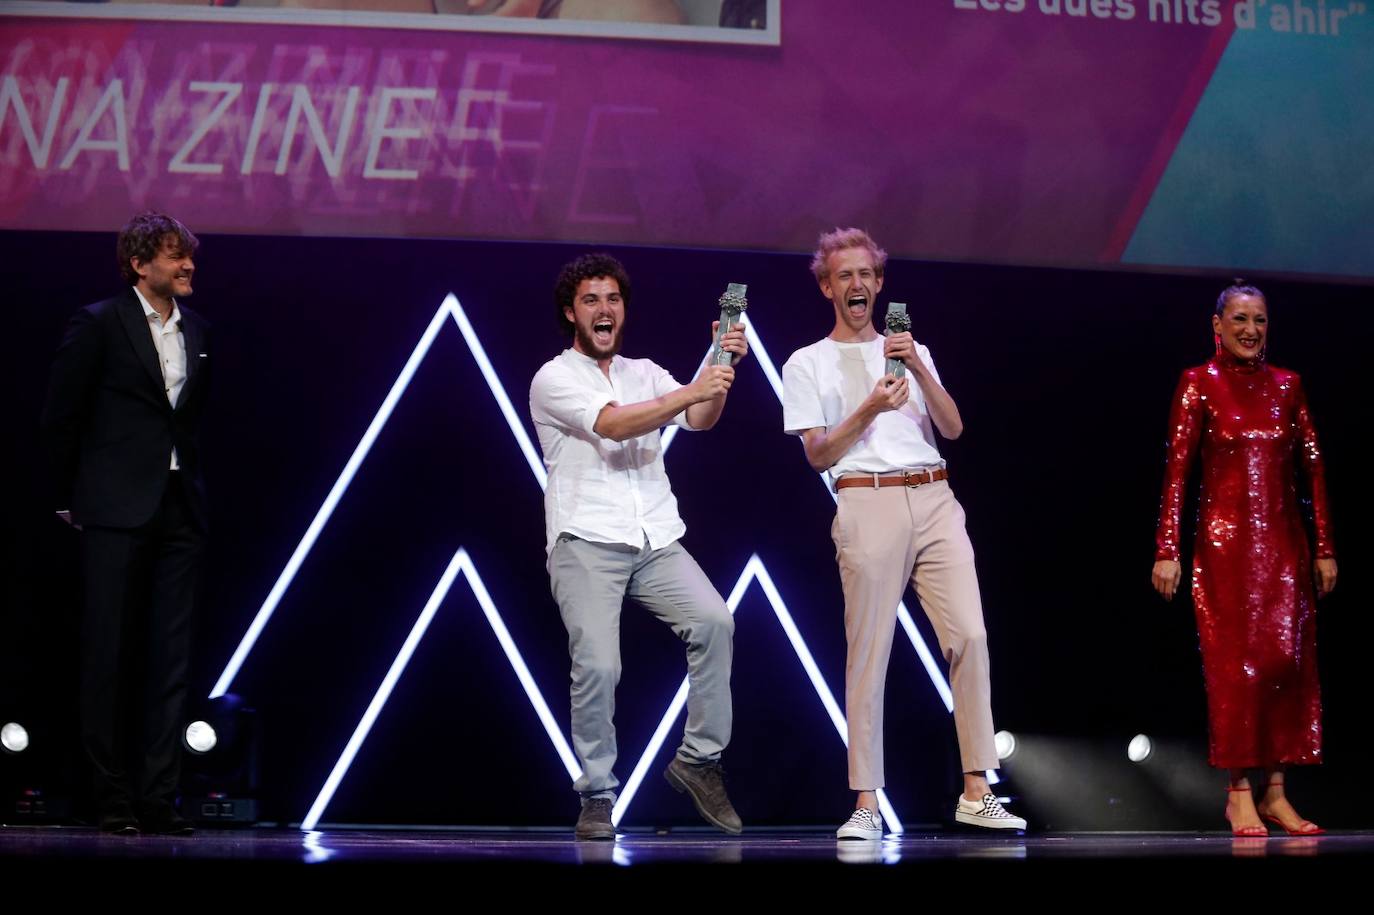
column 122, row 428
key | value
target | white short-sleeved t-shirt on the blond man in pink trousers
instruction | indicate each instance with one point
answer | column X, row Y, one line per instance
column 826, row 383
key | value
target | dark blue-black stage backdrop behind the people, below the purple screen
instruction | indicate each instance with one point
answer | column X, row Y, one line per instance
column 1063, row 377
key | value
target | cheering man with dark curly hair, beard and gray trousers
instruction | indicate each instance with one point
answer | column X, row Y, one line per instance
column 613, row 531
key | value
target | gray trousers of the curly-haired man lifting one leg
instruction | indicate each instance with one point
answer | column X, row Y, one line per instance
column 590, row 582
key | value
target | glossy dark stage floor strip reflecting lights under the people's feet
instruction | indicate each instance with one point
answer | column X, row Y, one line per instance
column 549, row 850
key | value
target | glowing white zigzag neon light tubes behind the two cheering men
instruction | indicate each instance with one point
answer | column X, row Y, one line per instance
column 464, row 563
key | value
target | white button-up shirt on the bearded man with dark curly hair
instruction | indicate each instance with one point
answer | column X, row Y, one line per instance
column 598, row 488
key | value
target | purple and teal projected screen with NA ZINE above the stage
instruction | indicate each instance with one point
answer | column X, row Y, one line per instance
column 1015, row 131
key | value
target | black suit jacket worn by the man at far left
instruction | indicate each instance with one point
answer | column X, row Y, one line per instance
column 108, row 427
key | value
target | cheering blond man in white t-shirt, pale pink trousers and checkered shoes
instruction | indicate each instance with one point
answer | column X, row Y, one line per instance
column 897, row 521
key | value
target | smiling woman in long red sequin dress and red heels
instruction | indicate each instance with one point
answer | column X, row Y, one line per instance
column 1254, row 569
